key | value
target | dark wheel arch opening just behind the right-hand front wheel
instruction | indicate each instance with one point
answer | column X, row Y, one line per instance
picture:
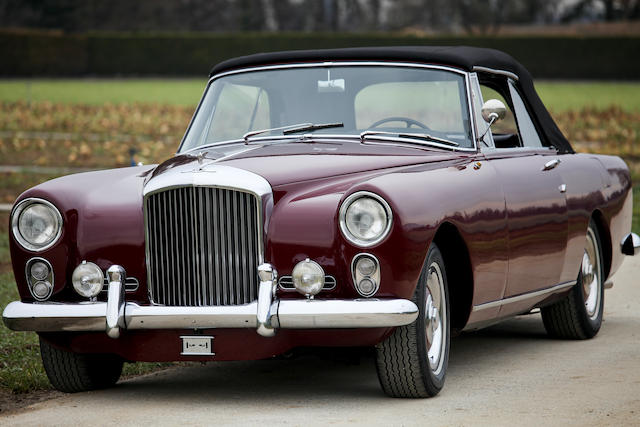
column 459, row 273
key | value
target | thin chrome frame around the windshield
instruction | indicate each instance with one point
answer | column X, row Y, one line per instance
column 321, row 64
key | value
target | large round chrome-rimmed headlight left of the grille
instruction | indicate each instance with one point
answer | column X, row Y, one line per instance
column 36, row 224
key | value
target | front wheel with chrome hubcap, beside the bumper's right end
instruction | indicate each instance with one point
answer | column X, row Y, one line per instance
column 413, row 361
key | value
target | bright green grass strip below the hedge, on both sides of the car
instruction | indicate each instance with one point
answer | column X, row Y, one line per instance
column 558, row 96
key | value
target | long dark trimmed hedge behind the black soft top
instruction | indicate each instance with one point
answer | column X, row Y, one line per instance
column 110, row 54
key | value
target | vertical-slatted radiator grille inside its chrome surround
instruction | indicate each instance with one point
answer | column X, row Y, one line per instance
column 202, row 246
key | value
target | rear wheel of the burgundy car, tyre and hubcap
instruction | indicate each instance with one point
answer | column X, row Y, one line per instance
column 579, row 314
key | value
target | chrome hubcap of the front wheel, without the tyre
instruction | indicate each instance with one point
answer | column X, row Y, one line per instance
column 435, row 319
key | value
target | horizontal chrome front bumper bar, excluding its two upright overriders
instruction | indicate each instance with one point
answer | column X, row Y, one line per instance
column 291, row 314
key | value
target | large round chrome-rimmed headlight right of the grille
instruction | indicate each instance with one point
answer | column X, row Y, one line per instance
column 365, row 219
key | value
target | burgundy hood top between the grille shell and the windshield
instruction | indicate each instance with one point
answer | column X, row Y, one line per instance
column 290, row 162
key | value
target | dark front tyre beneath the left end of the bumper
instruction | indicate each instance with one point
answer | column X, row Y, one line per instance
column 73, row 372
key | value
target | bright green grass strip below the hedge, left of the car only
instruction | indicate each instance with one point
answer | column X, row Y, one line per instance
column 99, row 91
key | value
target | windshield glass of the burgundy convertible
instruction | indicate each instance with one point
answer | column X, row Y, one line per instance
column 359, row 98
